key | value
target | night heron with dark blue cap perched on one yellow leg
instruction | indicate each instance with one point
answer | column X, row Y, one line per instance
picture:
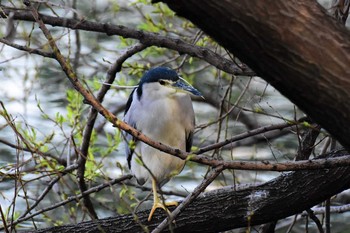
column 161, row 108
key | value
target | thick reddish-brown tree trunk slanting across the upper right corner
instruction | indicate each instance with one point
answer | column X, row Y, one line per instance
column 294, row 45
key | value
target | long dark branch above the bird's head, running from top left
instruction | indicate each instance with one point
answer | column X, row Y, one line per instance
column 146, row 38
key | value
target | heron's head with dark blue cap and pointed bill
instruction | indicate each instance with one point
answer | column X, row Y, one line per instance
column 164, row 81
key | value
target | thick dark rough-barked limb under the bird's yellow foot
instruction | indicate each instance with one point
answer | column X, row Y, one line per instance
column 288, row 194
